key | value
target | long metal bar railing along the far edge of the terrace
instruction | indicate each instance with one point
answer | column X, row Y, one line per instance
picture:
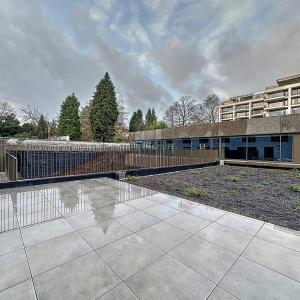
column 29, row 161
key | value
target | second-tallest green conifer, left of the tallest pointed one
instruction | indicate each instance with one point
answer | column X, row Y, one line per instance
column 69, row 121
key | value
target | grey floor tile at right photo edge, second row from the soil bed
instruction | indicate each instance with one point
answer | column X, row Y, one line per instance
column 278, row 258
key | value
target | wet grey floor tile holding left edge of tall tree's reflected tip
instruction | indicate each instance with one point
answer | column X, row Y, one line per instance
column 88, row 219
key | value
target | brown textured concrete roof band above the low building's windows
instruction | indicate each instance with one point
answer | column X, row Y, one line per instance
column 257, row 126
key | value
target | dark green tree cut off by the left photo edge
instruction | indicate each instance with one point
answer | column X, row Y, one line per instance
column 9, row 124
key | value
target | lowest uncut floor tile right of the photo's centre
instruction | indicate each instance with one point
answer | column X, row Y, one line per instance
column 205, row 258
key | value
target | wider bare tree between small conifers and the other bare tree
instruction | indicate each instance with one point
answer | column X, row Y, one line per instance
column 183, row 112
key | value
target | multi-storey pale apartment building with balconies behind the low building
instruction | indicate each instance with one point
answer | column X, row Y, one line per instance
column 280, row 99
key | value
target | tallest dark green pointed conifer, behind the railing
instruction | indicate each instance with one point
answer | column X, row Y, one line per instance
column 104, row 110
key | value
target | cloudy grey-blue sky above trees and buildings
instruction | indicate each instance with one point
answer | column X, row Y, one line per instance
column 154, row 50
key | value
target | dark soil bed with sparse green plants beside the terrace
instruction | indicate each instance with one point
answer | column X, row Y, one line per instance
column 264, row 194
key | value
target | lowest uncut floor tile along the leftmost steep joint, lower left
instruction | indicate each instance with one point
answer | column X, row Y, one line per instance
column 47, row 255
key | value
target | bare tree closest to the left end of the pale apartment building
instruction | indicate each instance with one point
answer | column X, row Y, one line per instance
column 210, row 109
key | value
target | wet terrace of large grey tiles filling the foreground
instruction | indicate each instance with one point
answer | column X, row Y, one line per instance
column 105, row 239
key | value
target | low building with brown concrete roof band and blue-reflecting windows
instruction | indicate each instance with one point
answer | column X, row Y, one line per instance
column 273, row 139
